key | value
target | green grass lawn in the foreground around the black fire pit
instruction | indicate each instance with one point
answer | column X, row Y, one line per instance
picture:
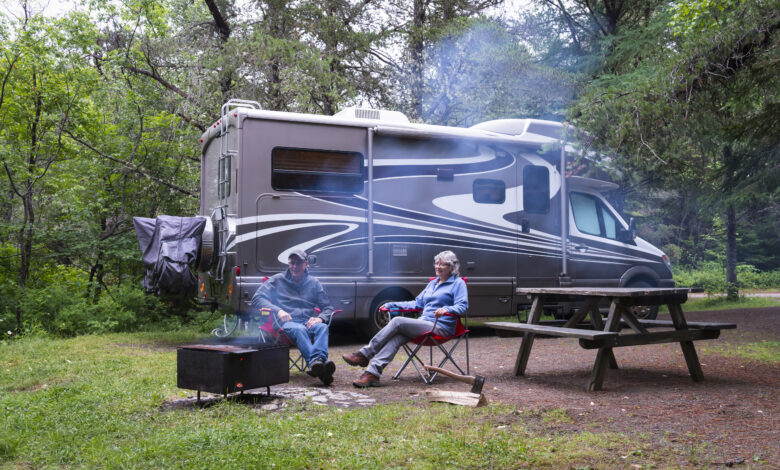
column 97, row 402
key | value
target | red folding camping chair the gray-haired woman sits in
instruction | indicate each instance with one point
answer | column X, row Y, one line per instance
column 432, row 340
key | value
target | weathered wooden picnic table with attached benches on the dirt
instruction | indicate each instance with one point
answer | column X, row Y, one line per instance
column 605, row 335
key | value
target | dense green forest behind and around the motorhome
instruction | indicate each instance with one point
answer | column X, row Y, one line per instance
column 102, row 104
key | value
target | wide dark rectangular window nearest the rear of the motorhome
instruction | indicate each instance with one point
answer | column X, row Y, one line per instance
column 316, row 170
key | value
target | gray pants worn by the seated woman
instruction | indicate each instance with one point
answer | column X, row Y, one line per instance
column 383, row 346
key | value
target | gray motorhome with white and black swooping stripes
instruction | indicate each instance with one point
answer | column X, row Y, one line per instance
column 373, row 199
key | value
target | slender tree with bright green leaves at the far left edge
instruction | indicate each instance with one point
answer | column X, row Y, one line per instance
column 43, row 94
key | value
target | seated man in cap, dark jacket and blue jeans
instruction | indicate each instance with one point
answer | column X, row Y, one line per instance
column 292, row 296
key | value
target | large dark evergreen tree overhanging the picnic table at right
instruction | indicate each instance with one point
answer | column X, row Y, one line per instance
column 692, row 100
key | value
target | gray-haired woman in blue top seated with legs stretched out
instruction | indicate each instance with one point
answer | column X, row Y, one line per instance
column 446, row 293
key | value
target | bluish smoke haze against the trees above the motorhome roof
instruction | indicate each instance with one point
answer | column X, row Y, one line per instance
column 481, row 72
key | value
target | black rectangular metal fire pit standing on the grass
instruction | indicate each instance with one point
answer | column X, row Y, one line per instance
column 223, row 369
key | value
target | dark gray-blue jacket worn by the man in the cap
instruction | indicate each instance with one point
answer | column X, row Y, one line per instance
column 298, row 299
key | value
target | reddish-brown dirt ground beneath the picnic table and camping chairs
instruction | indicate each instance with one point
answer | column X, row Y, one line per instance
column 736, row 408
